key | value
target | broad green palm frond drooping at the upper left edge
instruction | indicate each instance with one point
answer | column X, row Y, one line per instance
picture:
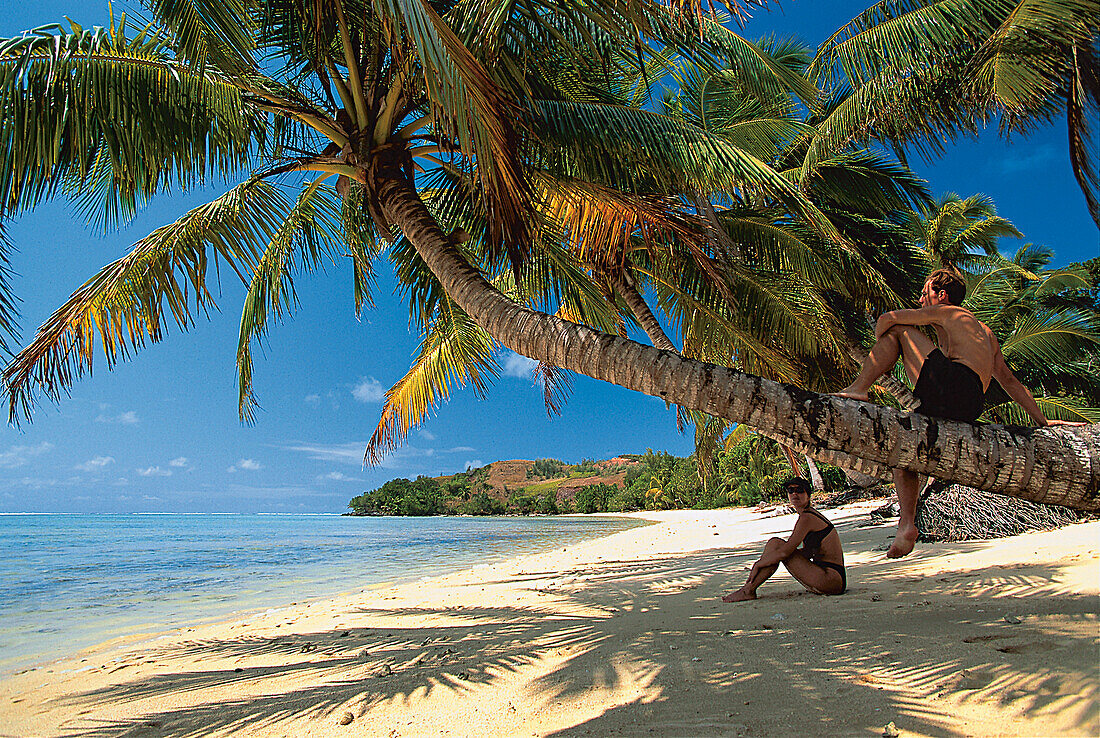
column 80, row 109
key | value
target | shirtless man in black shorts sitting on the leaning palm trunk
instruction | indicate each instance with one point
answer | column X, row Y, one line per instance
column 951, row 381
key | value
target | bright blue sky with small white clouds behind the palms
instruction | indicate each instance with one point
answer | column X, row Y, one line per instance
column 160, row 433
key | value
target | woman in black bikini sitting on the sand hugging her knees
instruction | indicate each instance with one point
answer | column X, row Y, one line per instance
column 819, row 565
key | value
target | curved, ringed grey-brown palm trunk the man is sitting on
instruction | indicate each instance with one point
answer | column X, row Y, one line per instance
column 1059, row 467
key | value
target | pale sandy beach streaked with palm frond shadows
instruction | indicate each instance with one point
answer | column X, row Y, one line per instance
column 626, row 636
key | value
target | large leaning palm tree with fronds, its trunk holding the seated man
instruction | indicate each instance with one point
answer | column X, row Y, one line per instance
column 370, row 94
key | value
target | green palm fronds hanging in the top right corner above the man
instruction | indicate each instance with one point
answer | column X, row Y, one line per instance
column 923, row 72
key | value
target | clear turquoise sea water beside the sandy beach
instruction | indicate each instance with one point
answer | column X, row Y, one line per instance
column 72, row 581
